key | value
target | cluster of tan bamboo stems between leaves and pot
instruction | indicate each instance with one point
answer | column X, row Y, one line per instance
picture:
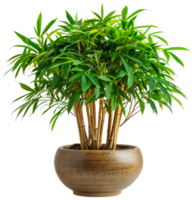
column 94, row 116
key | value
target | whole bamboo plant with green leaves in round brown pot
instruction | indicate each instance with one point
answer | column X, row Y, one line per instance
column 103, row 71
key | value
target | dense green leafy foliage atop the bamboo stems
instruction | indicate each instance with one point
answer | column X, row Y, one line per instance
column 95, row 53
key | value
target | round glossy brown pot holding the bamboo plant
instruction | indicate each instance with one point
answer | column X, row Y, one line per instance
column 98, row 173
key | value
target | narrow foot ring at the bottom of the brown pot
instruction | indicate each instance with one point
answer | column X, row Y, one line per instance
column 96, row 195
